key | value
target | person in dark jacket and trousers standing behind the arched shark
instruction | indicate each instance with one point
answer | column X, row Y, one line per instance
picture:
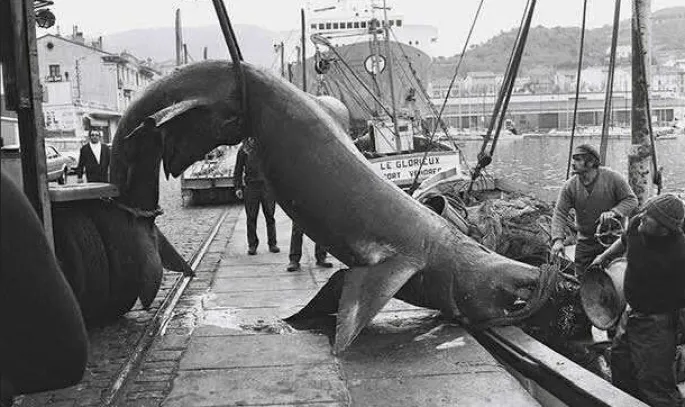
column 251, row 186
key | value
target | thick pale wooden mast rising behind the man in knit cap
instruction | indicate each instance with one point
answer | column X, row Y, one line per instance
column 639, row 158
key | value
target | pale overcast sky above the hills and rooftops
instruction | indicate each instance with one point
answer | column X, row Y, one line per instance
column 451, row 17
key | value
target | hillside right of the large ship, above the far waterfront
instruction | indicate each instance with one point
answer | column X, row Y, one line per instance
column 557, row 47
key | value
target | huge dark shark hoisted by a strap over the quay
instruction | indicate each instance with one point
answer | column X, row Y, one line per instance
column 392, row 244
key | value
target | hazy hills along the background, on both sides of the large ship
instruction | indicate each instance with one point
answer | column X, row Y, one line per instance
column 547, row 48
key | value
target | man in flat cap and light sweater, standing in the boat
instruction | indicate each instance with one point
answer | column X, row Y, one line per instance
column 596, row 194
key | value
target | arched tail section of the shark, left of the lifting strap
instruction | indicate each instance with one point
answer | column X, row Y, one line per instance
column 177, row 121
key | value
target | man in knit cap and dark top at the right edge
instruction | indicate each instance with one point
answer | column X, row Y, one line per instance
column 643, row 354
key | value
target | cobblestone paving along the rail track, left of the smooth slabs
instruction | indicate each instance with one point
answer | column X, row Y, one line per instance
column 110, row 346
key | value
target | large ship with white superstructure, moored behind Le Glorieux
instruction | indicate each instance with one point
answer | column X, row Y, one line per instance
column 355, row 29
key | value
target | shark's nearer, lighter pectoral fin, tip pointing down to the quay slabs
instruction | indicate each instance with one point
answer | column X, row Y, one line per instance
column 365, row 292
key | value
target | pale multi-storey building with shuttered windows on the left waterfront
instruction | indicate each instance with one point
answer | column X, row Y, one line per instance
column 82, row 79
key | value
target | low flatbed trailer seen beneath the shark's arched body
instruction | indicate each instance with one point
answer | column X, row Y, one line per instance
column 210, row 180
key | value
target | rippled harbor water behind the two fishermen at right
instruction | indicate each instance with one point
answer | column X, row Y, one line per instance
column 539, row 162
